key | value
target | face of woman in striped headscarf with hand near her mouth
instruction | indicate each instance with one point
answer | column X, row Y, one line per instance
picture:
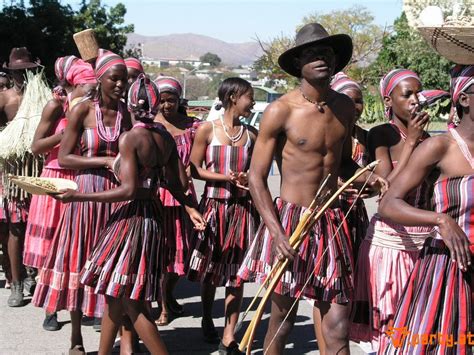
column 404, row 98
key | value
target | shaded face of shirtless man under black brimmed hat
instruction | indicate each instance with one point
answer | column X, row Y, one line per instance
column 317, row 62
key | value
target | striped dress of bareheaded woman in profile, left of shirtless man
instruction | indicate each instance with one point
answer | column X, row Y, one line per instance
column 231, row 216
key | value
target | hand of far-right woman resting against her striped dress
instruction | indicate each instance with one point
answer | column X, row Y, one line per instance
column 456, row 240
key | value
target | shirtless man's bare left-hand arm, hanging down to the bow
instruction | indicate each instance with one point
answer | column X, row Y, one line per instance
column 271, row 126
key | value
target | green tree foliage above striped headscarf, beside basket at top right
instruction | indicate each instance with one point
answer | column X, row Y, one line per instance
column 405, row 48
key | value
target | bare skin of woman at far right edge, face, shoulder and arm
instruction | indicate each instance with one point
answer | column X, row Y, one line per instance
column 440, row 154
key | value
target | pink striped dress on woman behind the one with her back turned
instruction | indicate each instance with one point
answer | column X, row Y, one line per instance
column 176, row 224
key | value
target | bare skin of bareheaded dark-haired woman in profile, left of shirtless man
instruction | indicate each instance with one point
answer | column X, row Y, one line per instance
column 239, row 106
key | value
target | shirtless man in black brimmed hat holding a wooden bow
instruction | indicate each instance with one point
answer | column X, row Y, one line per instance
column 308, row 130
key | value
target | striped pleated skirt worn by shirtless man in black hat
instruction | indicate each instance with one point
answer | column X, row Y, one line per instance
column 324, row 258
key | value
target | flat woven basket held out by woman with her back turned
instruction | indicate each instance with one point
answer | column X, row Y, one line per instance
column 36, row 186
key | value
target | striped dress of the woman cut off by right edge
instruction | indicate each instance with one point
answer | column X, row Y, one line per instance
column 438, row 298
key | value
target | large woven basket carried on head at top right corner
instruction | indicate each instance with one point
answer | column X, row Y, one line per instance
column 453, row 43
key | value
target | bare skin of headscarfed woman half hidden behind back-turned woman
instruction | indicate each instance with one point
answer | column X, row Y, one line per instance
column 176, row 124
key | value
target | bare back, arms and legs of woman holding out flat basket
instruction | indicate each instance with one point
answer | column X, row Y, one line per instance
column 138, row 148
